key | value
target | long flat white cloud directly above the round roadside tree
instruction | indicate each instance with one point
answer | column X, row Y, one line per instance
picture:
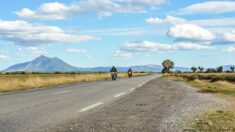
column 156, row 47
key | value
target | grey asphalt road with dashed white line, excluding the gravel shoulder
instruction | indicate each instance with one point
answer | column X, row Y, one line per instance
column 32, row 110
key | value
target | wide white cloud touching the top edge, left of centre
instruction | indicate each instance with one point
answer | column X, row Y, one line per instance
column 102, row 8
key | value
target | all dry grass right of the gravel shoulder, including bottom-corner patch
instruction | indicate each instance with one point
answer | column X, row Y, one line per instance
column 220, row 84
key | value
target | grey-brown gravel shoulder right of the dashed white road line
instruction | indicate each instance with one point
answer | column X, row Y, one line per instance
column 158, row 106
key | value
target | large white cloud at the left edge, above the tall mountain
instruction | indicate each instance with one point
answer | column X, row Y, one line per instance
column 24, row 33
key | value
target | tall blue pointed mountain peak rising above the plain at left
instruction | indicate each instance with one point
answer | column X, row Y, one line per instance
column 42, row 64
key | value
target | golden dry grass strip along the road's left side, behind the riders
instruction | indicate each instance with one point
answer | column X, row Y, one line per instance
column 17, row 82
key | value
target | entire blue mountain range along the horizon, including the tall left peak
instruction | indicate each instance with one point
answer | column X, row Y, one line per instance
column 46, row 64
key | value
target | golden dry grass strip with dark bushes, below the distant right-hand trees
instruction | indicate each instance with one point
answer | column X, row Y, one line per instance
column 212, row 83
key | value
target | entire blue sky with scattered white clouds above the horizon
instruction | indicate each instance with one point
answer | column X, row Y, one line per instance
column 90, row 33
